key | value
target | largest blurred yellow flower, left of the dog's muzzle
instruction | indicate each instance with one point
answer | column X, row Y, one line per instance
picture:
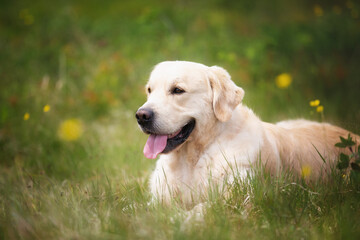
column 70, row 129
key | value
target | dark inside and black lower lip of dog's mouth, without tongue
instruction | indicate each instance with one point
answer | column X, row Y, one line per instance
column 178, row 138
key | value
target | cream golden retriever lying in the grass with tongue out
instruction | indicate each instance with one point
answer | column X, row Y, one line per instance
column 202, row 132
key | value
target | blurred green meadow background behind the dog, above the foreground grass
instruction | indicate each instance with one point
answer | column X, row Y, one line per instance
column 72, row 73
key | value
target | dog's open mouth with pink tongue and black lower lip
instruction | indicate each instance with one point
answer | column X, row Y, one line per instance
column 157, row 143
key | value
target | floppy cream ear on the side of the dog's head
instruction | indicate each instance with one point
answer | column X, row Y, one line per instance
column 226, row 95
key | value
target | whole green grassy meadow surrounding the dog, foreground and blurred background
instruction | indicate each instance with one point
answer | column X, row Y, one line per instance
column 72, row 76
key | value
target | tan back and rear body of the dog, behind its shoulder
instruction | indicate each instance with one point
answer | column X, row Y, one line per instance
column 303, row 143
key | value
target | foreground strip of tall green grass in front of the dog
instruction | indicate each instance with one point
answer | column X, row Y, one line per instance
column 118, row 207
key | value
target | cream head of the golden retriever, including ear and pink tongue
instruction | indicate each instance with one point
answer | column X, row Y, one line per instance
column 185, row 100
